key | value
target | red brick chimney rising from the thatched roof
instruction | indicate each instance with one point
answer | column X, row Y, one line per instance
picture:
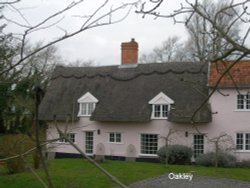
column 129, row 52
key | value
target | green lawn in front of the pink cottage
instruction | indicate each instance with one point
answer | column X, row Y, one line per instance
column 77, row 173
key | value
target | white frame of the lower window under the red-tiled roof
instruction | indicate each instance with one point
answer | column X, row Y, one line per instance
column 245, row 141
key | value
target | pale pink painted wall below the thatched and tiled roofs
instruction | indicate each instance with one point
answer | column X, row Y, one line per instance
column 226, row 120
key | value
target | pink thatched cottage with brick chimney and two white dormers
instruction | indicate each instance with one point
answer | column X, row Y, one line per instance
column 130, row 110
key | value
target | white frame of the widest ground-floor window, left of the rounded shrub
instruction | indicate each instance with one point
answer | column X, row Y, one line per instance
column 145, row 147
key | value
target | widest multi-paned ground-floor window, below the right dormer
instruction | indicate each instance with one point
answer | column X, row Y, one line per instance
column 149, row 144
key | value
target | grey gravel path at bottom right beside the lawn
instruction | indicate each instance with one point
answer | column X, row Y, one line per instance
column 197, row 182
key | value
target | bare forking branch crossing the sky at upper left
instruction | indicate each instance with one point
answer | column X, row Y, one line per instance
column 93, row 21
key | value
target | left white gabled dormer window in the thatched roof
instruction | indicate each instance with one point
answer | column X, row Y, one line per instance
column 87, row 104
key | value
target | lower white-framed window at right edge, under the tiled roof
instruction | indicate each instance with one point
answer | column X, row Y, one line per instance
column 243, row 141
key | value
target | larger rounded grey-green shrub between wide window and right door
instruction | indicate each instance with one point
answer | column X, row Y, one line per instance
column 175, row 154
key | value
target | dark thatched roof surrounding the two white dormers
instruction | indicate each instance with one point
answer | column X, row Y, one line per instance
column 124, row 93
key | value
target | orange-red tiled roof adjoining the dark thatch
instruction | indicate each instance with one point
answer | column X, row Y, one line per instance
column 237, row 76
